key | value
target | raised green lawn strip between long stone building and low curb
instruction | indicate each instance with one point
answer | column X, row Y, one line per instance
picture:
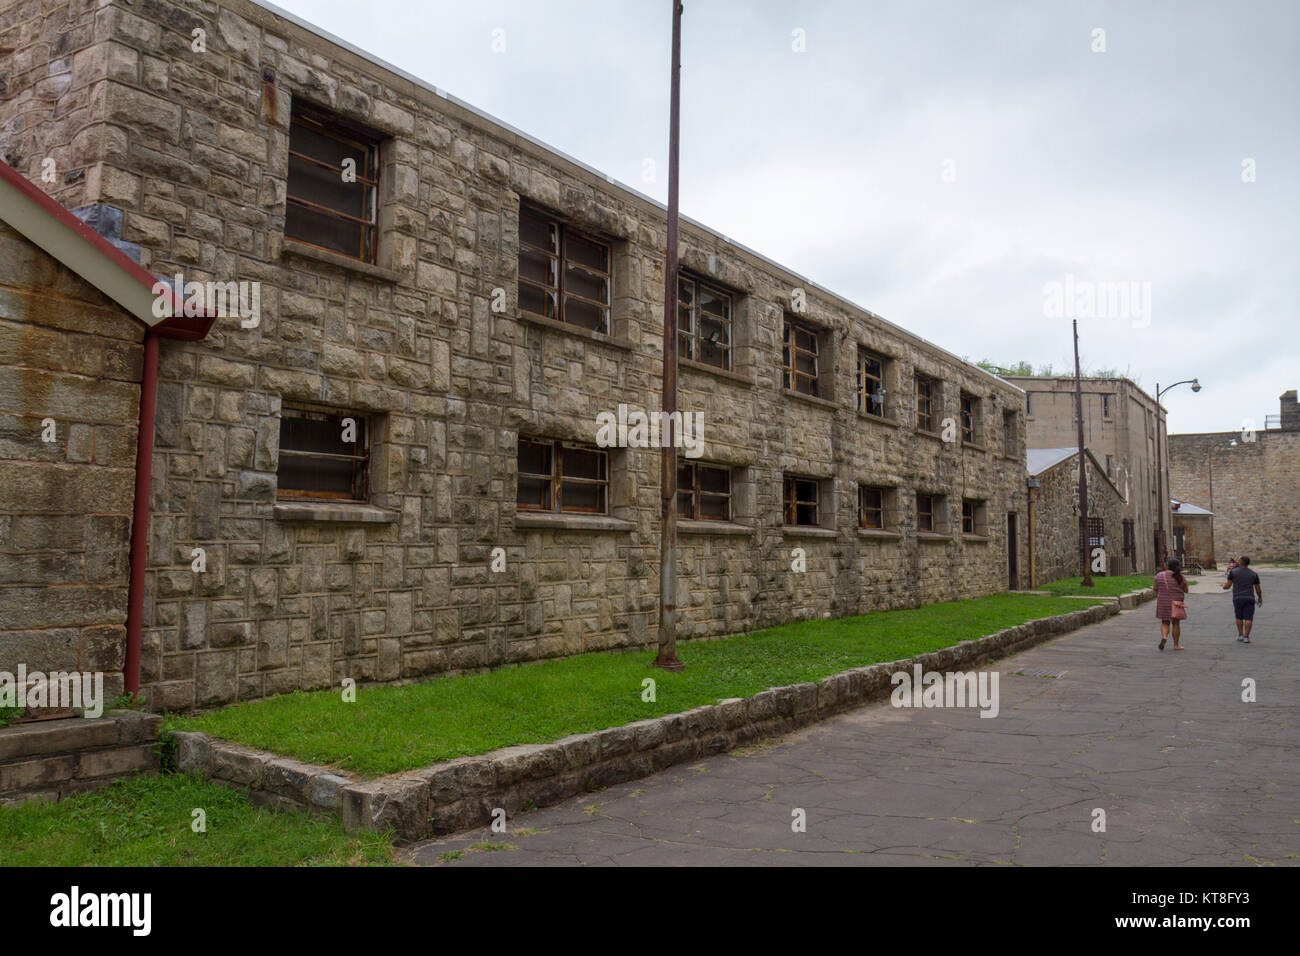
column 395, row 729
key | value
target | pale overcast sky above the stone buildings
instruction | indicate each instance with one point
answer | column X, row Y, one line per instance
column 941, row 163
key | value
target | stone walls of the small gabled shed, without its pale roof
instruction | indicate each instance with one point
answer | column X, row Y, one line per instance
column 1056, row 521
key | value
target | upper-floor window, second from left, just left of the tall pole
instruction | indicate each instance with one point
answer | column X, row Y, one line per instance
column 564, row 275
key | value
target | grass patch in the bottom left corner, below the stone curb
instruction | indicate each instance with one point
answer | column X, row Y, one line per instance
column 146, row 821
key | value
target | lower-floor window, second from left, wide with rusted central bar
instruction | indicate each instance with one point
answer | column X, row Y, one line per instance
column 562, row 478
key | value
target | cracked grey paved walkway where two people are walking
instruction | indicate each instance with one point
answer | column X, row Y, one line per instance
column 1185, row 771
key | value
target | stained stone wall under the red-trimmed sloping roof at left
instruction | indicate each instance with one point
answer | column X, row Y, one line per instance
column 70, row 360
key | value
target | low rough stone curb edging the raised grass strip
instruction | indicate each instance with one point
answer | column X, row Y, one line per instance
column 463, row 793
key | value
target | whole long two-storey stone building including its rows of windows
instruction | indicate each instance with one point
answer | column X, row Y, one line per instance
column 388, row 466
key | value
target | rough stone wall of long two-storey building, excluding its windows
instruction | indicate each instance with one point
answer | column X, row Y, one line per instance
column 197, row 155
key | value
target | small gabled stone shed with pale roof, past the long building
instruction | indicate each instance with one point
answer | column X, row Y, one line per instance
column 1055, row 516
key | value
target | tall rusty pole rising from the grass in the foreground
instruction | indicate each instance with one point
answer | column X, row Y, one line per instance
column 668, row 657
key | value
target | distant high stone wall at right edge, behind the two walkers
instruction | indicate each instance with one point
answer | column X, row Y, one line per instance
column 1251, row 482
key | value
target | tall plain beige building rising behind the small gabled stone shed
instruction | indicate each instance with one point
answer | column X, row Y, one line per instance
column 1120, row 423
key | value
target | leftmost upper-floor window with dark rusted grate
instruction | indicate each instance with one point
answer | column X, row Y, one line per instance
column 332, row 187
